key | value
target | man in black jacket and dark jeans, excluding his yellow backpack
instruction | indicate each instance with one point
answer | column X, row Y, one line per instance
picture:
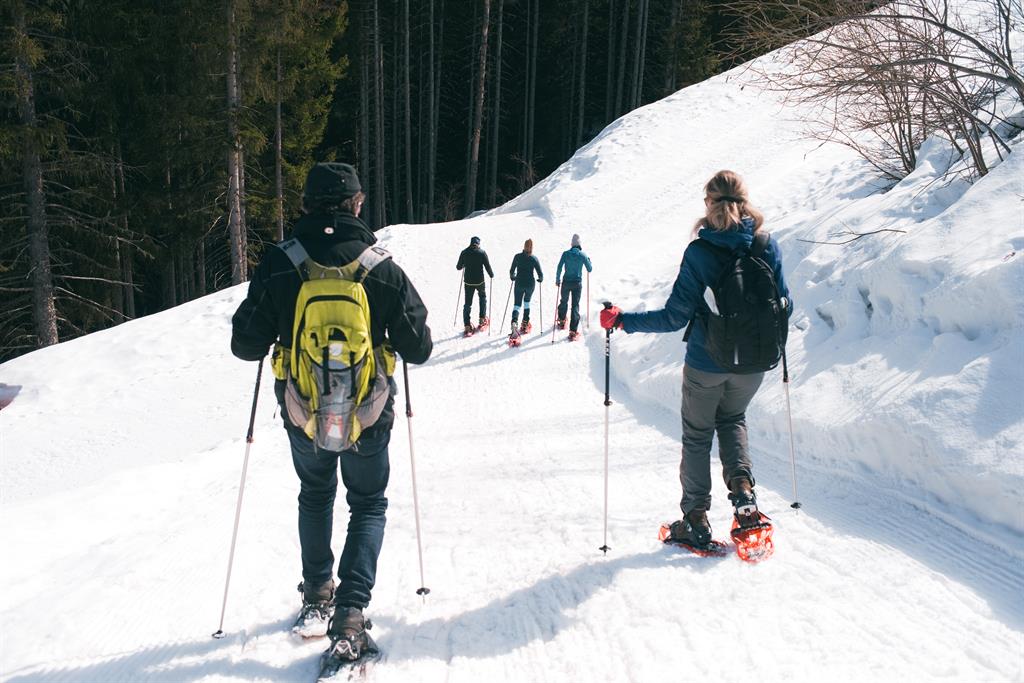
column 332, row 235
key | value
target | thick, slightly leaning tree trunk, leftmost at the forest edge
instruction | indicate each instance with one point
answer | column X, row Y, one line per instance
column 45, row 314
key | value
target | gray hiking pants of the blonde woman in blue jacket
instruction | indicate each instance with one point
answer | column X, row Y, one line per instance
column 714, row 403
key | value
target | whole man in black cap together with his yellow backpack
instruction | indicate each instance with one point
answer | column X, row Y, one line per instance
column 337, row 310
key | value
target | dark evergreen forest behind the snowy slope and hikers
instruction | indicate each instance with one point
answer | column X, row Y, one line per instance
column 149, row 151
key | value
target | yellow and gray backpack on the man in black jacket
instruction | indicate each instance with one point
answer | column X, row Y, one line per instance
column 337, row 383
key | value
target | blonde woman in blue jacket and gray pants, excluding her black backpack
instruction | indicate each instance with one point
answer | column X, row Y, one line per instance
column 714, row 400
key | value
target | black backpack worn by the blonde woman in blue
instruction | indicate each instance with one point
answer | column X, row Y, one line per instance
column 749, row 332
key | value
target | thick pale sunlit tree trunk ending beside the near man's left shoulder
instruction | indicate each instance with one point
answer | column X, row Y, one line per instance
column 235, row 227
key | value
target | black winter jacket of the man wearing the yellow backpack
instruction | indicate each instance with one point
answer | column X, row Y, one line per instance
column 397, row 312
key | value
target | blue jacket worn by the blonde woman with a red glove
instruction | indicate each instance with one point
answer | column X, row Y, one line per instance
column 701, row 270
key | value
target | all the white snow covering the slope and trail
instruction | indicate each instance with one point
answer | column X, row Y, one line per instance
column 120, row 460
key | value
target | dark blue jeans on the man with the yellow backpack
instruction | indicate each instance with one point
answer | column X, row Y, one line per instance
column 365, row 472
